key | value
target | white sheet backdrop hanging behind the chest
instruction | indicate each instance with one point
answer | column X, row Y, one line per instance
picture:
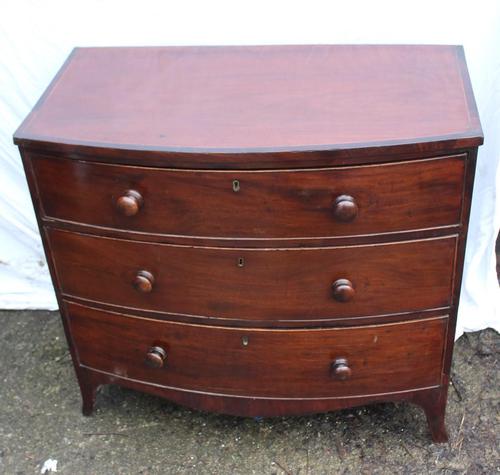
column 36, row 37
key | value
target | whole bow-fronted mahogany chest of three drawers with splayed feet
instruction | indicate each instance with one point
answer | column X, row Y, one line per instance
column 258, row 231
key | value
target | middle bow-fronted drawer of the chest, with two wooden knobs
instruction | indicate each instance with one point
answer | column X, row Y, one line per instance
column 256, row 284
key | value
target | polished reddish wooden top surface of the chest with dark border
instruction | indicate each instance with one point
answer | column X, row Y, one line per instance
column 257, row 99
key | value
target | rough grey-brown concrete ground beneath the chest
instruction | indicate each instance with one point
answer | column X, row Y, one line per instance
column 133, row 433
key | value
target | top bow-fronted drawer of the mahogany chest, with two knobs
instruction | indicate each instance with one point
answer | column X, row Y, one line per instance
column 267, row 204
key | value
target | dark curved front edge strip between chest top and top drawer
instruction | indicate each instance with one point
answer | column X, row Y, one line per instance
column 252, row 161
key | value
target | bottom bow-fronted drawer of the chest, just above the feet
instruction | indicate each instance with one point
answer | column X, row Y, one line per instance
column 305, row 363
